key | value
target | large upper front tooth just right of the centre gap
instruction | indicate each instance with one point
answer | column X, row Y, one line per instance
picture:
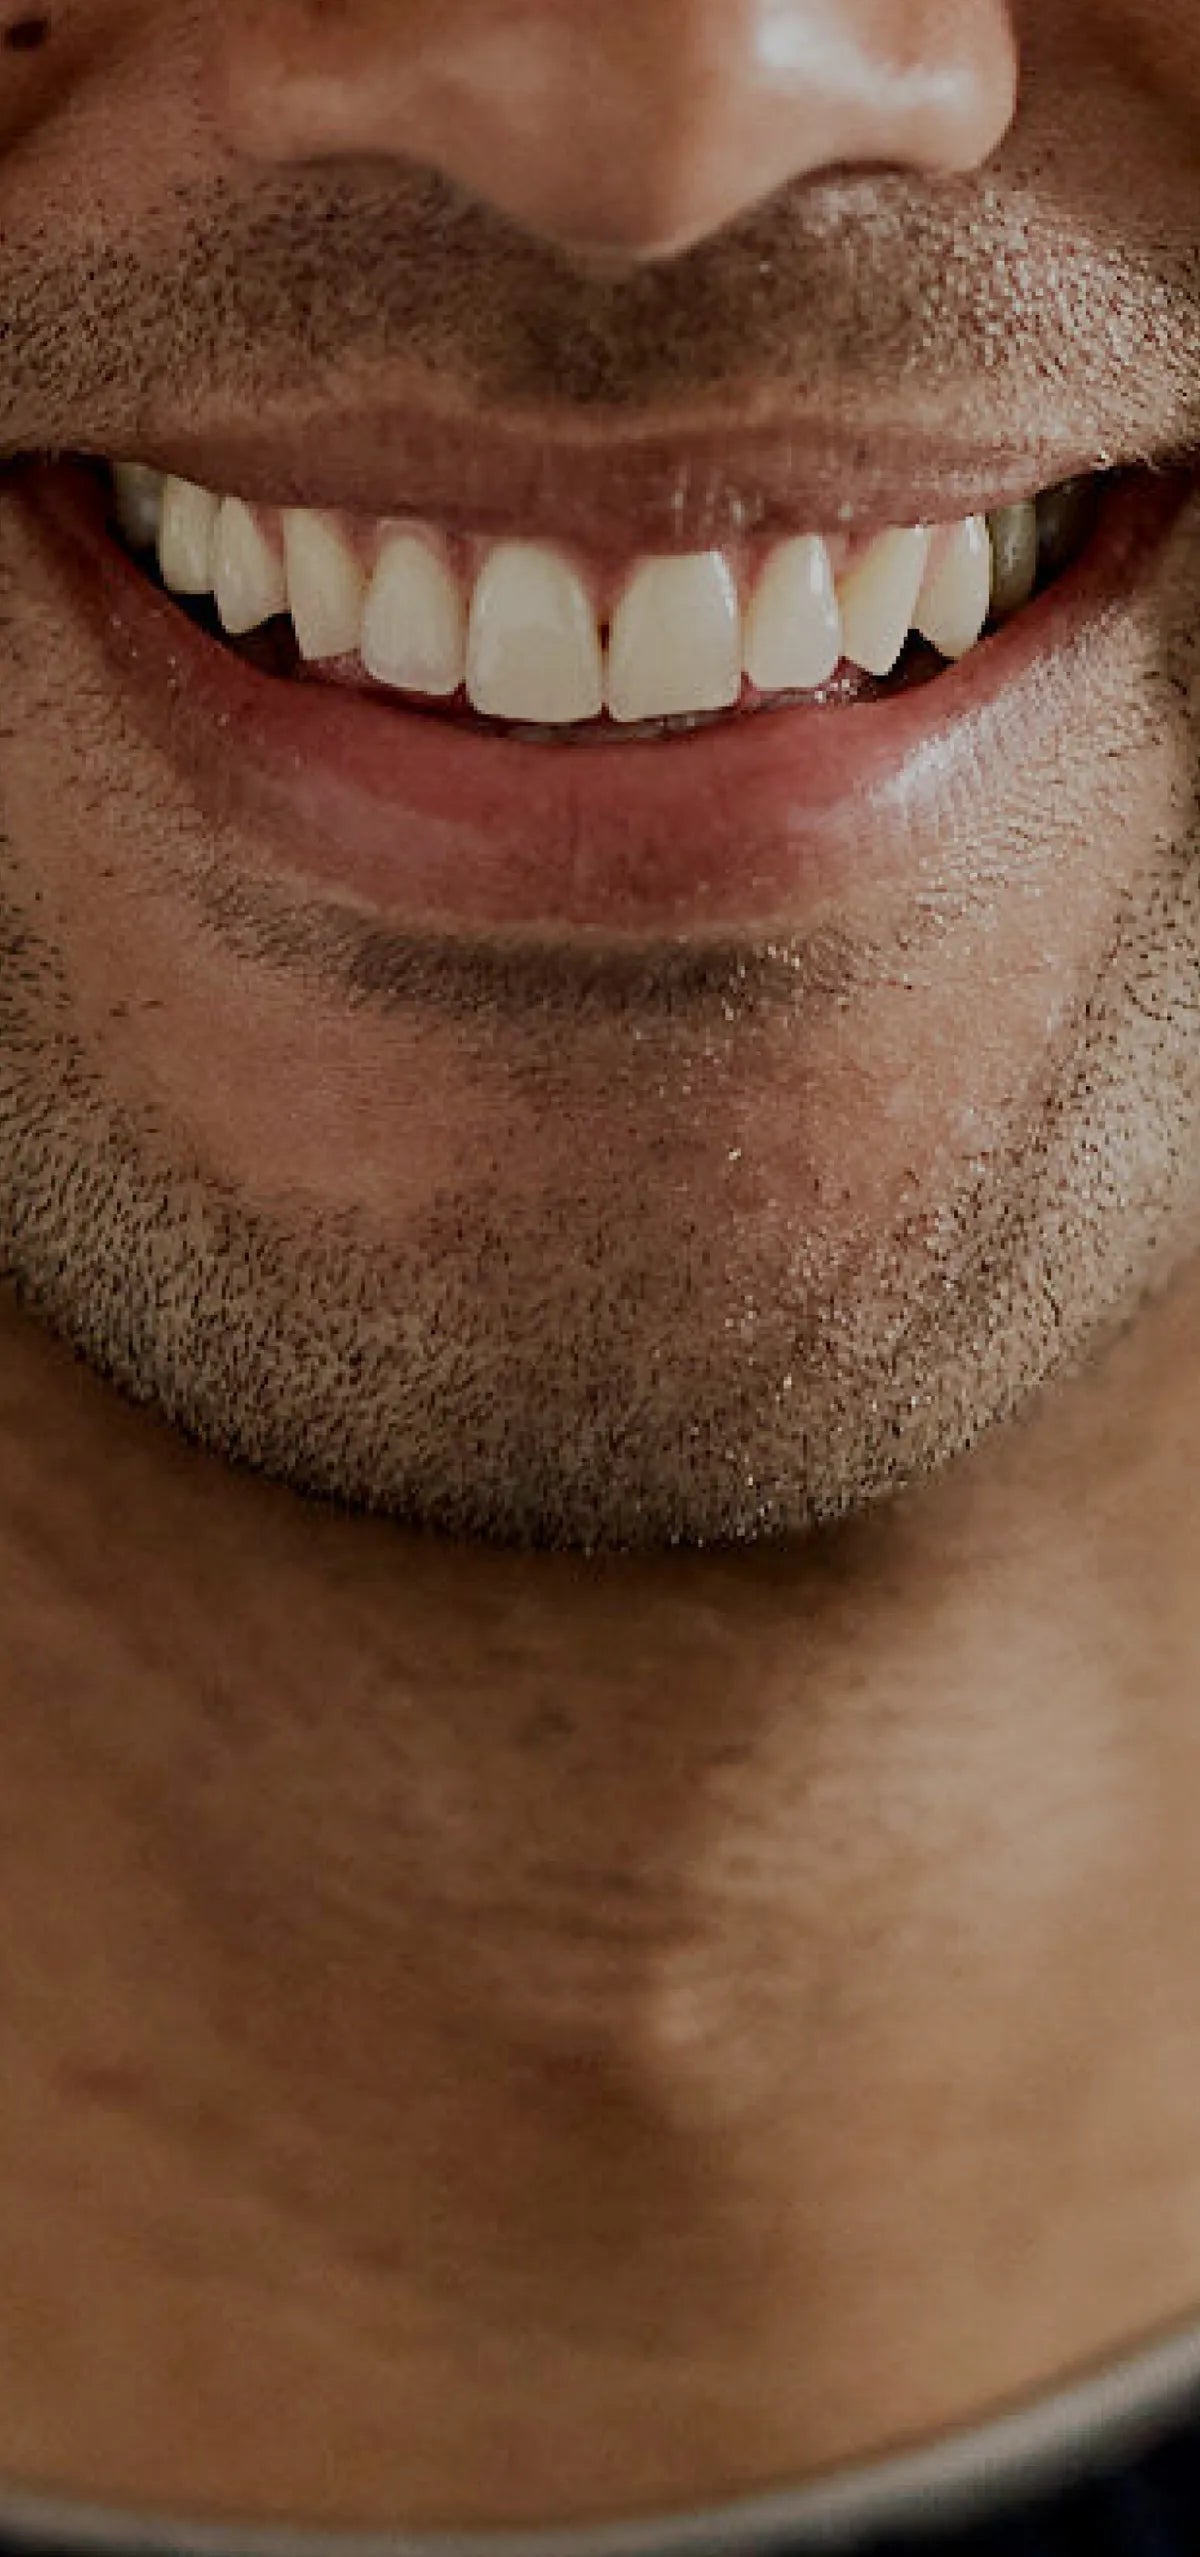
column 677, row 641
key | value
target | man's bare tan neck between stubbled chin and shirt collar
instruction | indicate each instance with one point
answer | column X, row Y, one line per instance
column 587, row 2037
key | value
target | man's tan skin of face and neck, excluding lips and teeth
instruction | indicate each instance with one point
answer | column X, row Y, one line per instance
column 592, row 2032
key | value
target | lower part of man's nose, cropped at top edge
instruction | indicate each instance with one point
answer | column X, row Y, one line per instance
column 623, row 127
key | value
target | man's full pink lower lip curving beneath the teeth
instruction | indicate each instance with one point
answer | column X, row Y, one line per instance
column 738, row 825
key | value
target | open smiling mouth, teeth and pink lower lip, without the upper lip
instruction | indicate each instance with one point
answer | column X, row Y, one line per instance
column 395, row 710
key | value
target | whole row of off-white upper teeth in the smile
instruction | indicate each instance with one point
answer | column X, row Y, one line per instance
column 533, row 635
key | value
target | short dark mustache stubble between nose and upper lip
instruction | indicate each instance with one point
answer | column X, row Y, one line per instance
column 981, row 306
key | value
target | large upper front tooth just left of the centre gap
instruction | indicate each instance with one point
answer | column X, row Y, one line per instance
column 533, row 643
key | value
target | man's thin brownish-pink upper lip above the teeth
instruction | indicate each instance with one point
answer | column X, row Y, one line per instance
column 608, row 485
